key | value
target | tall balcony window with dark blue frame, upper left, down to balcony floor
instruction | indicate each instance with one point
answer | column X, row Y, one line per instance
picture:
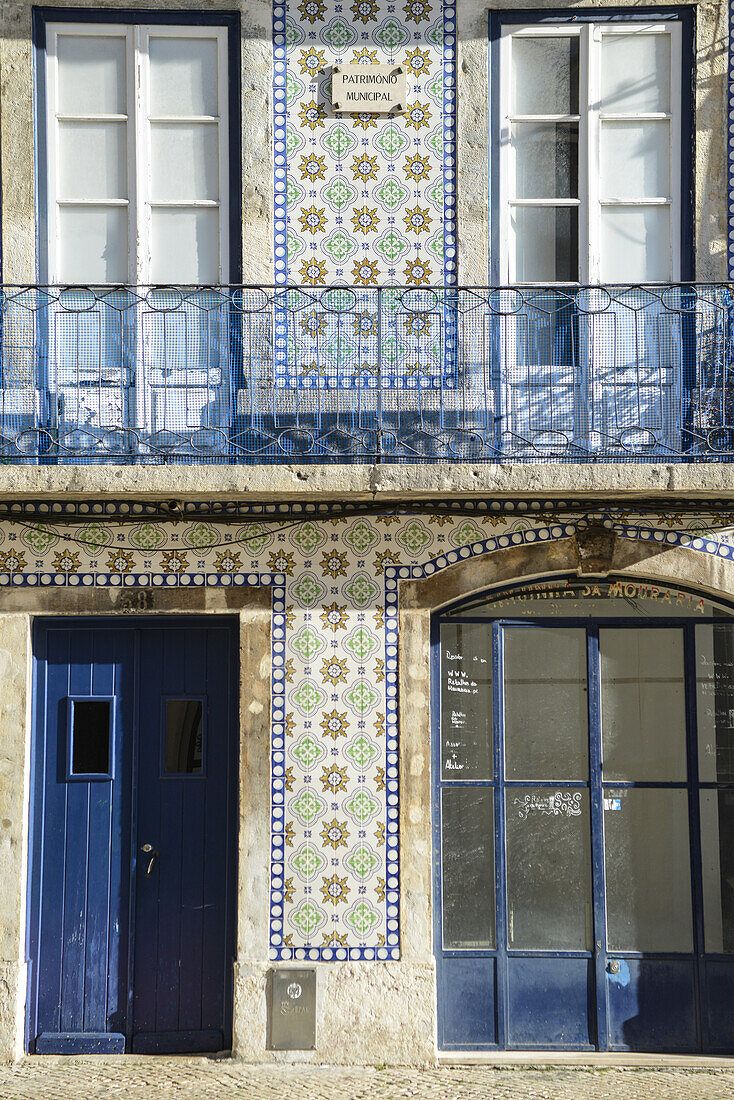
column 157, row 371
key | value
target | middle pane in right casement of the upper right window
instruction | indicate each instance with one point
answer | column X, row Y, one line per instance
column 636, row 160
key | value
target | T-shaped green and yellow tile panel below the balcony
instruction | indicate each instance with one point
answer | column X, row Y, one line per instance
column 335, row 881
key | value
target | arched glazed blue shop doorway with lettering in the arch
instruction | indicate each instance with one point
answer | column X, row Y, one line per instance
column 584, row 819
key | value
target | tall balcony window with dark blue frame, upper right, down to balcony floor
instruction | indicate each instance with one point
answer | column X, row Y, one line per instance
column 583, row 370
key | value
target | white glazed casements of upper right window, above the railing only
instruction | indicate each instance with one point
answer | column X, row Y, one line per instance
column 590, row 188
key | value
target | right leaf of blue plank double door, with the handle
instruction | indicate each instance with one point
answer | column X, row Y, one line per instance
column 183, row 879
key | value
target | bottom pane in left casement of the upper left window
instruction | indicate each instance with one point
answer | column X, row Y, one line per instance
column 93, row 245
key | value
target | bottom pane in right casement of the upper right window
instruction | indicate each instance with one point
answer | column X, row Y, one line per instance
column 636, row 245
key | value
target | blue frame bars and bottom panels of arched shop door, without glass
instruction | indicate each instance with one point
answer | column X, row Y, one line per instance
column 503, row 999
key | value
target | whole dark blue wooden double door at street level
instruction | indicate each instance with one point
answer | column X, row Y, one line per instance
column 132, row 901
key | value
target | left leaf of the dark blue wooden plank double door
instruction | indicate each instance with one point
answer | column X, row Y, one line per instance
column 79, row 926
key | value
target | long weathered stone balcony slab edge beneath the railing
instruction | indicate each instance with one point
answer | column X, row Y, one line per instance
column 381, row 485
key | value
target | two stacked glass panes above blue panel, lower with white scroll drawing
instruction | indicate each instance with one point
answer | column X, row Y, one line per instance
column 546, row 734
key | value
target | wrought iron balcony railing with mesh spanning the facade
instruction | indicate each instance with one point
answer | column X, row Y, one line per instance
column 245, row 375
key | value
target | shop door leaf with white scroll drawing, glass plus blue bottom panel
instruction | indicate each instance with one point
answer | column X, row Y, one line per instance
column 551, row 985
